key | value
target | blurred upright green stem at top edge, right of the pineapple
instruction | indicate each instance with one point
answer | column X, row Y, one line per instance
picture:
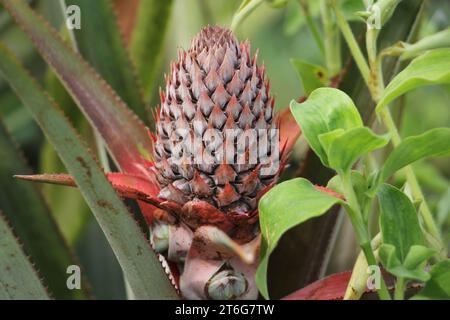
column 332, row 39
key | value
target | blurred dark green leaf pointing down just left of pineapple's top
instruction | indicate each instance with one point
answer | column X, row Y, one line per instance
column 147, row 42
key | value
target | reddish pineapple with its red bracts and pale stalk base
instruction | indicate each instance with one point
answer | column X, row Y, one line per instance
column 214, row 86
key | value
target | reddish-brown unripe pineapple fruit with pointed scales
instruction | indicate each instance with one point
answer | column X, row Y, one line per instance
column 217, row 101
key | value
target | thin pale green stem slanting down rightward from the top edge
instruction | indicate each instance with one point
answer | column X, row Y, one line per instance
column 351, row 42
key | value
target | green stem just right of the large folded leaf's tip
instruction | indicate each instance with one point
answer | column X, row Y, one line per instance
column 362, row 234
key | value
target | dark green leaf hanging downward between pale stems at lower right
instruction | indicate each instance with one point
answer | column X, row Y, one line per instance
column 398, row 221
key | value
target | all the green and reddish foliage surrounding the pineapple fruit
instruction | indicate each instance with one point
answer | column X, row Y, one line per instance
column 104, row 77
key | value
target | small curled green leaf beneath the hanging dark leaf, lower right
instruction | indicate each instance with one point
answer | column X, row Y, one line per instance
column 390, row 261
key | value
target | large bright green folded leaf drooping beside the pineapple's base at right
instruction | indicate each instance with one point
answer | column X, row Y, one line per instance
column 285, row 206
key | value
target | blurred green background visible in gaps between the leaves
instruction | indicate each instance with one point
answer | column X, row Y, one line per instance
column 279, row 34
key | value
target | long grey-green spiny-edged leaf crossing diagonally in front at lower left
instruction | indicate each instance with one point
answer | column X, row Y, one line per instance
column 139, row 263
